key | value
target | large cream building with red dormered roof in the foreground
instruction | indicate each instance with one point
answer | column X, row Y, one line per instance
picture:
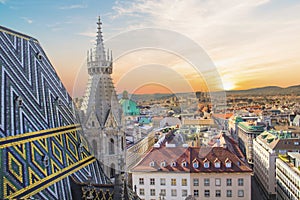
column 174, row 173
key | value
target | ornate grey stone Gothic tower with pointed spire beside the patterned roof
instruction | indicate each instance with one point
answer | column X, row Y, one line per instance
column 102, row 114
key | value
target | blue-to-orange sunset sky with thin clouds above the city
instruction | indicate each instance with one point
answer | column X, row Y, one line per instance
column 252, row 43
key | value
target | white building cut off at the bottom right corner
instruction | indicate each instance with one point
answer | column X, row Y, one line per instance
column 288, row 177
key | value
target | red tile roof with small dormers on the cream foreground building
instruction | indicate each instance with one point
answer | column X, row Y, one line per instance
column 190, row 154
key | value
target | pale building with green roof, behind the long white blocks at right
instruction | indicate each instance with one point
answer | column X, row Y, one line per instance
column 247, row 131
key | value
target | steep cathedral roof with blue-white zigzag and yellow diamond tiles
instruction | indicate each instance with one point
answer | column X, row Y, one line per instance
column 40, row 141
